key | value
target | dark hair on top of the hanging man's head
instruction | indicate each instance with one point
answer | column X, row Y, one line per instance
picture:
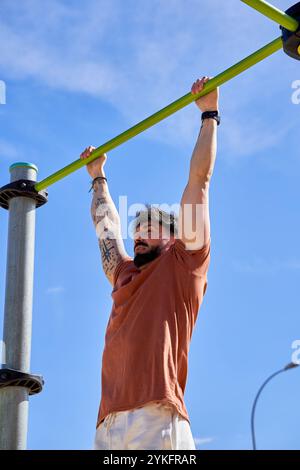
column 152, row 213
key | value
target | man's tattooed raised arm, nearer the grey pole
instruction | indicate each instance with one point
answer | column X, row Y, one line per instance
column 105, row 218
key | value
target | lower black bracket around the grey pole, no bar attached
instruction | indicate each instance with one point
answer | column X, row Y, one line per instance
column 16, row 378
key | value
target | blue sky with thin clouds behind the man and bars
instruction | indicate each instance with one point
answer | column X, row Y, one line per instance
column 78, row 73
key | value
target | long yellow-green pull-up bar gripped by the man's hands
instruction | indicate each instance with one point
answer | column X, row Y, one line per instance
column 165, row 112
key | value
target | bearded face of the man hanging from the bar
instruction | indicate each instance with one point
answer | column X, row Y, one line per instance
column 150, row 239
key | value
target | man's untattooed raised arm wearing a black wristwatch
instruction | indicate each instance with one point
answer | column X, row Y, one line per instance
column 194, row 223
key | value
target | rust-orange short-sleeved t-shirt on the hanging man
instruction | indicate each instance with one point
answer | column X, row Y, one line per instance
column 149, row 330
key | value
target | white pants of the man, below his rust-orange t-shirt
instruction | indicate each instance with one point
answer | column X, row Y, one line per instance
column 154, row 426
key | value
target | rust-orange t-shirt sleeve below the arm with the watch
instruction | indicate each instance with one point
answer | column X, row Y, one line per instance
column 195, row 261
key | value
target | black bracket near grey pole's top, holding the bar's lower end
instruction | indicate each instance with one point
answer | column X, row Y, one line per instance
column 22, row 188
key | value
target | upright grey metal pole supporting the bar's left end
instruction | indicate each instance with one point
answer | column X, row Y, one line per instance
column 18, row 310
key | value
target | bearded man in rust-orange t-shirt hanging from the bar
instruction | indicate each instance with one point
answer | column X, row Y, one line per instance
column 156, row 298
